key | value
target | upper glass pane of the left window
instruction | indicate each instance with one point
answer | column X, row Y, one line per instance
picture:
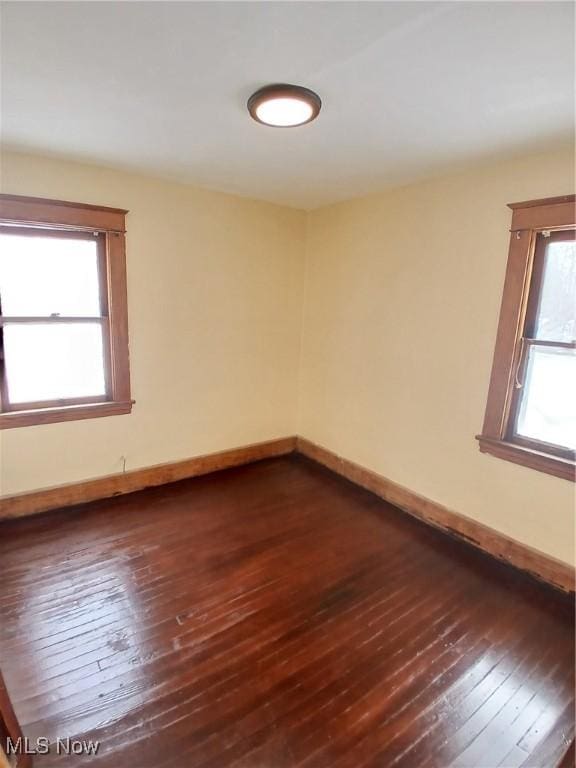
column 48, row 275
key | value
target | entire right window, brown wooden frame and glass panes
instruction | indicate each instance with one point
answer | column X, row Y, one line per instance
column 531, row 411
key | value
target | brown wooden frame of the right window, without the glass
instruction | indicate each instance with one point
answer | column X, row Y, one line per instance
column 517, row 314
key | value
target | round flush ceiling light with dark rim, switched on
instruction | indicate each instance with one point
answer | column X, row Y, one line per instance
column 284, row 106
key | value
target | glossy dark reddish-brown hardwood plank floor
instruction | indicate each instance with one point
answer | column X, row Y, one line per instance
column 275, row 616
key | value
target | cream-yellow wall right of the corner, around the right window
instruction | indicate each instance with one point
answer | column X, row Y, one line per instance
column 402, row 299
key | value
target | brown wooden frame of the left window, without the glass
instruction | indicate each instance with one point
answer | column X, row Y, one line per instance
column 30, row 216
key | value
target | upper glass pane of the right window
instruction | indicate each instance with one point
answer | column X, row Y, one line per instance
column 556, row 319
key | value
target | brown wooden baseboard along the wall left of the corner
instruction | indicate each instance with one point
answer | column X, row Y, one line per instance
column 114, row 485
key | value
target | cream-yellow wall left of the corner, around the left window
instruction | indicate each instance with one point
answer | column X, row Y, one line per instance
column 214, row 285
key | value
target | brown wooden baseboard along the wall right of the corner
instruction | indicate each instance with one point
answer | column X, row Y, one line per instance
column 487, row 539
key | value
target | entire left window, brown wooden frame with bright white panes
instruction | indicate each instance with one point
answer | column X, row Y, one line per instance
column 63, row 318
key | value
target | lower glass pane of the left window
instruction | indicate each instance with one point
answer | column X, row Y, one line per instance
column 53, row 361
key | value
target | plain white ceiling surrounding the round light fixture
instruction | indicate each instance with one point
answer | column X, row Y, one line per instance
column 409, row 88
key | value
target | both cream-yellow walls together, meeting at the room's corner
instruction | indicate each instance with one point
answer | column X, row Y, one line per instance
column 400, row 312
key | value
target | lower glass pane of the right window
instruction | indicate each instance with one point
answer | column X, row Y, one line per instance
column 548, row 407
